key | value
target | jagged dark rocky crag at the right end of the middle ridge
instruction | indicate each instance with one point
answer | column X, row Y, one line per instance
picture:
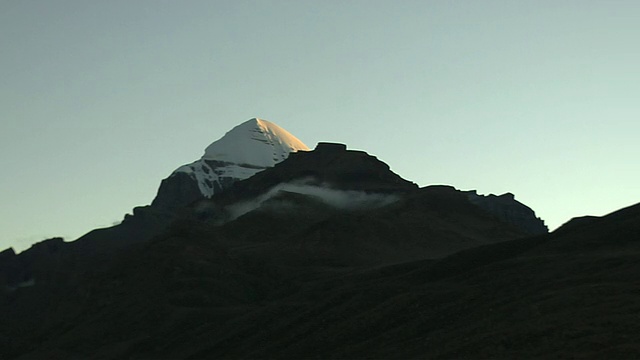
column 506, row 208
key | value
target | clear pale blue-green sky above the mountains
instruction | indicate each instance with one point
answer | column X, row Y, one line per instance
column 101, row 100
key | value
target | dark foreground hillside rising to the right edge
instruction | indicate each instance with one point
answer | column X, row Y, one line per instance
column 569, row 294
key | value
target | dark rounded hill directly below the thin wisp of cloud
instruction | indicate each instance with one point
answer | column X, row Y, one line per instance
column 431, row 223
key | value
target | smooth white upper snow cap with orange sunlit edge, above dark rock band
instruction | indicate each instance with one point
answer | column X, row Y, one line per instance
column 255, row 142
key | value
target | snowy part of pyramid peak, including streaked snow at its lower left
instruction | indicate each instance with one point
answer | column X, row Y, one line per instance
column 246, row 149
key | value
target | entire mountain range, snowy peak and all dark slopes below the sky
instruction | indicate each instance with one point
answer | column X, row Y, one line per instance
column 264, row 248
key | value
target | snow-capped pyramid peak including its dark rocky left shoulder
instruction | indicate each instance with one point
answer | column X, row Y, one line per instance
column 242, row 152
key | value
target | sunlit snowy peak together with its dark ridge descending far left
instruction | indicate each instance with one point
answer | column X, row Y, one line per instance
column 245, row 150
